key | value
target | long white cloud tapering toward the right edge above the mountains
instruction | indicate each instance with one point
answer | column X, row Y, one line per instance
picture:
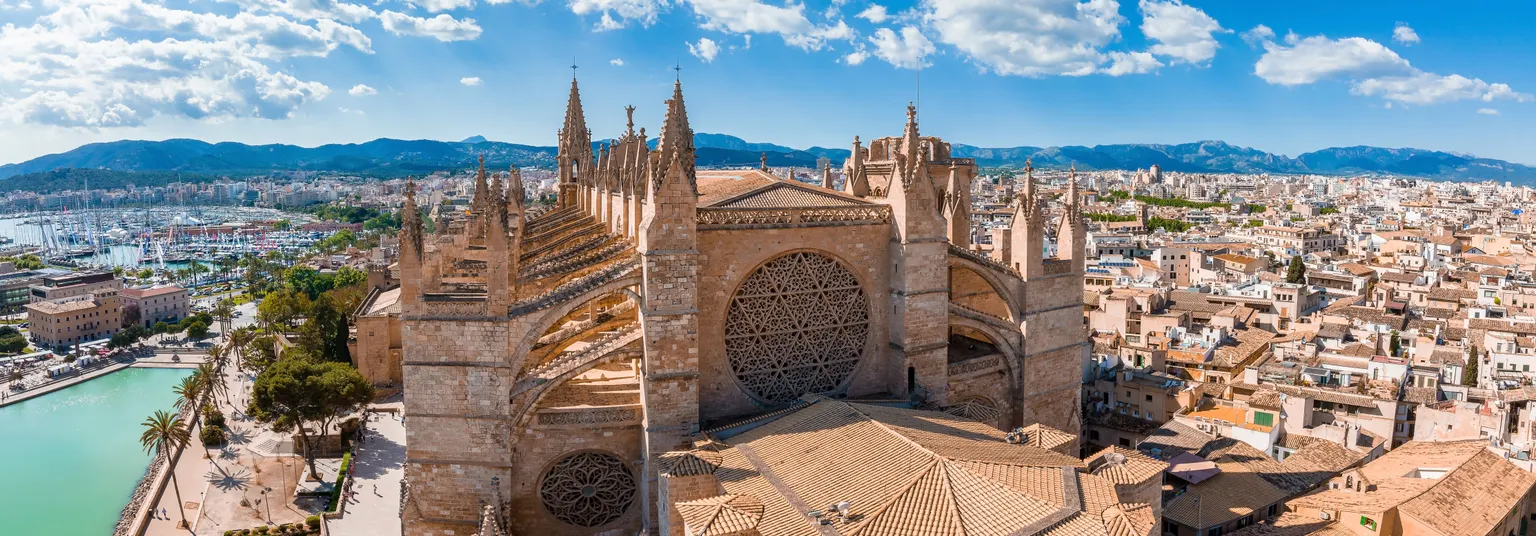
column 1372, row 70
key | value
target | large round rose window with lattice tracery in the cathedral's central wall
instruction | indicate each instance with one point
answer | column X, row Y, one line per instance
column 796, row 326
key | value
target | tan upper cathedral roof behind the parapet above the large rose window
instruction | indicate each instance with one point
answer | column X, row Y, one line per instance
column 756, row 190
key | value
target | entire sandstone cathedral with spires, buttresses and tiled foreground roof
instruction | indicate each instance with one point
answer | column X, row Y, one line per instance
column 681, row 351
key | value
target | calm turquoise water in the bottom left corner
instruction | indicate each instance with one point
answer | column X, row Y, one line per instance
column 71, row 458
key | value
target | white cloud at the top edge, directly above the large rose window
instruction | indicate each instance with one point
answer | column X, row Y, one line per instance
column 758, row 18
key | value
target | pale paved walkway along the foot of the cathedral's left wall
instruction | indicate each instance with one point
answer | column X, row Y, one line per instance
column 379, row 469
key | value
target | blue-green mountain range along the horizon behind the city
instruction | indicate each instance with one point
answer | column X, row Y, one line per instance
column 389, row 157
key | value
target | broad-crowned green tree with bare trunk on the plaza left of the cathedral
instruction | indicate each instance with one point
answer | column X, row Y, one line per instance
column 293, row 394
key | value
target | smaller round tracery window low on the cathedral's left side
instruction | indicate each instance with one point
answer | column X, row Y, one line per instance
column 588, row 489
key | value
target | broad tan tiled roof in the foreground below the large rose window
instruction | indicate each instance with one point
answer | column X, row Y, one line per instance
column 912, row 472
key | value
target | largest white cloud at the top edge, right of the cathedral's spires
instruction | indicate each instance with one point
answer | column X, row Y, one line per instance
column 1028, row 38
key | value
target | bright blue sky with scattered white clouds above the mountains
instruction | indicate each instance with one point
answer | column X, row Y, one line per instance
column 1277, row 76
